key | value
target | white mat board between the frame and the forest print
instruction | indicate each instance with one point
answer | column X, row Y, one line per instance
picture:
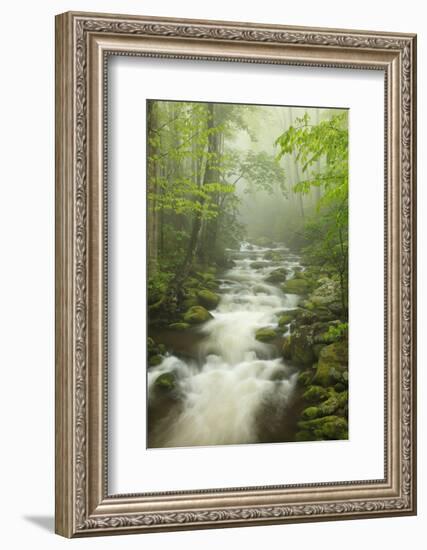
column 132, row 80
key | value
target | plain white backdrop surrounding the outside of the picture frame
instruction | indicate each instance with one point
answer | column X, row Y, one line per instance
column 26, row 299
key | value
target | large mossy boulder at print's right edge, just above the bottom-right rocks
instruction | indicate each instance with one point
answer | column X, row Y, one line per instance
column 333, row 362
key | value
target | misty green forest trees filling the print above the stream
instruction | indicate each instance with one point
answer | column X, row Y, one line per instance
column 221, row 173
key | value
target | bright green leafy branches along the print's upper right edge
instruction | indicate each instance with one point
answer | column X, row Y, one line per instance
column 322, row 149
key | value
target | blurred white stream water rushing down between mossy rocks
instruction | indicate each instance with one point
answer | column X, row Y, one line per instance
column 239, row 383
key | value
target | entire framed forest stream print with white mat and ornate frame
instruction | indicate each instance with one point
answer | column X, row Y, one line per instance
column 235, row 274
